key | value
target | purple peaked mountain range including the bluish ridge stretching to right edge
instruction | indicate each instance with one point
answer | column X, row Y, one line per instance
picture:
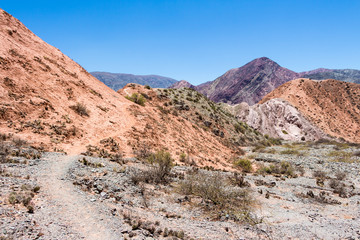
column 251, row 82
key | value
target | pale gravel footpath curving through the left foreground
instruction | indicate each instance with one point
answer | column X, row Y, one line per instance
column 65, row 212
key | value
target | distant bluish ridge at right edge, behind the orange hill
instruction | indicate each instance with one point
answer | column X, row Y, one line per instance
column 346, row 75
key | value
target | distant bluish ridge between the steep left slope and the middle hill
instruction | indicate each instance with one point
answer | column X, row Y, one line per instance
column 117, row 81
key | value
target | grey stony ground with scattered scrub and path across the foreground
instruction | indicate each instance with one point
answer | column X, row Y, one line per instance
column 292, row 191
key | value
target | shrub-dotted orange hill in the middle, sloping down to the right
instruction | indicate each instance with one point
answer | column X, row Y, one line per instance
column 185, row 121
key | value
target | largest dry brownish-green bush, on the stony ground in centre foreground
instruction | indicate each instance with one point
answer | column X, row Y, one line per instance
column 219, row 199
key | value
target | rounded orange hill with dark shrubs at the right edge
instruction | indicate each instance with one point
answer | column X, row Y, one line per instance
column 334, row 106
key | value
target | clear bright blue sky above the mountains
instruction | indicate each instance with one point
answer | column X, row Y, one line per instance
column 196, row 40
